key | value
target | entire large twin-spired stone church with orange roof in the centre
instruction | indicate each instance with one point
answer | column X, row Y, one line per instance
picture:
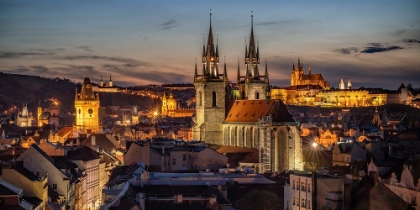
column 252, row 119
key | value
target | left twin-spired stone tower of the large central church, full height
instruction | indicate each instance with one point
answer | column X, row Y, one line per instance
column 212, row 94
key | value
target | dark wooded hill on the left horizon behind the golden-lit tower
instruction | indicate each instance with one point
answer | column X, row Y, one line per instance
column 17, row 89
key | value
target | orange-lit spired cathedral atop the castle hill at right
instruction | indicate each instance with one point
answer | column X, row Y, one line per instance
column 299, row 77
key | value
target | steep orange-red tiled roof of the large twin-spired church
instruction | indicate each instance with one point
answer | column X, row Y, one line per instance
column 249, row 111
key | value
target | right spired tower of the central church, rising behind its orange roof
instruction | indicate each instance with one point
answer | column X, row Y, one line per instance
column 253, row 86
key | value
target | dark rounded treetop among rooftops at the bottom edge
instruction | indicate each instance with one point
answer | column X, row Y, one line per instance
column 259, row 199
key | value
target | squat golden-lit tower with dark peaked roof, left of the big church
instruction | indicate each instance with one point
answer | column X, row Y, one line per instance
column 87, row 108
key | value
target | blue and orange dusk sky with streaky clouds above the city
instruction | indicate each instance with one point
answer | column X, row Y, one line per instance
column 372, row 43
